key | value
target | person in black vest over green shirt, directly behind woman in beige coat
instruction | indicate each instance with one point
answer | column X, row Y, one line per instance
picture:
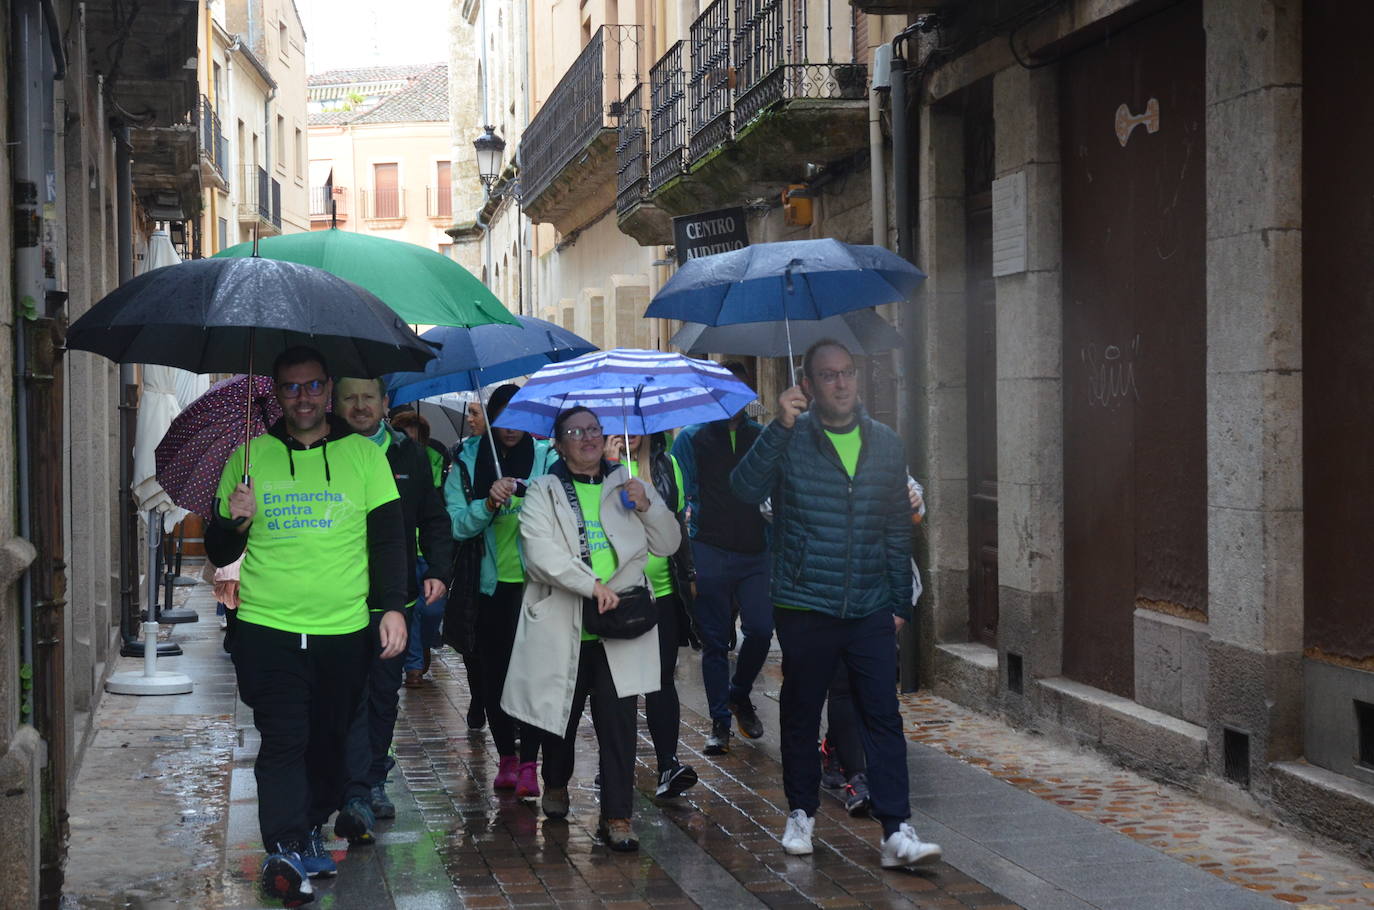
column 673, row 579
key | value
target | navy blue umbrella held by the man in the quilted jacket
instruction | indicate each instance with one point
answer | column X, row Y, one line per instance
column 785, row 281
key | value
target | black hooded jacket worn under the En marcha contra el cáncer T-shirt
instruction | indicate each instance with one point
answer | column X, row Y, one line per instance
column 387, row 542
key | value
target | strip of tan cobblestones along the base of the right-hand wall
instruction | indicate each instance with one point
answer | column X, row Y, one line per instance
column 1262, row 858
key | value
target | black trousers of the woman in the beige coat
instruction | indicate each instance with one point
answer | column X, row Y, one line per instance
column 615, row 722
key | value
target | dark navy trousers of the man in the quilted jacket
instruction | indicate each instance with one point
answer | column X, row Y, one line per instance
column 814, row 647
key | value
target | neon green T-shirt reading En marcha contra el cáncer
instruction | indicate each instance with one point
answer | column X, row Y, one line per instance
column 306, row 564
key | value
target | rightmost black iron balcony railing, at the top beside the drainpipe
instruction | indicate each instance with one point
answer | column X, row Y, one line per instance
column 781, row 56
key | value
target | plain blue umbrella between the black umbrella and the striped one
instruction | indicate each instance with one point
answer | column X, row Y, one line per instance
column 473, row 358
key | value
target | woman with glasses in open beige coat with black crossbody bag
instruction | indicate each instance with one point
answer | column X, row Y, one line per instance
column 589, row 530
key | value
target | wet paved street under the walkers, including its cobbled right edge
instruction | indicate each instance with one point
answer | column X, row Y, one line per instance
column 164, row 816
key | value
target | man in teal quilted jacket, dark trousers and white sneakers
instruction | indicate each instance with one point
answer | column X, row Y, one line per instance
column 842, row 586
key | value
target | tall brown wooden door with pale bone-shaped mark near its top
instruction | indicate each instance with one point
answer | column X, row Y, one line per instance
column 1134, row 340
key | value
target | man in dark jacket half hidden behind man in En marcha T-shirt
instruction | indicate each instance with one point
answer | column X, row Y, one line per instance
column 362, row 405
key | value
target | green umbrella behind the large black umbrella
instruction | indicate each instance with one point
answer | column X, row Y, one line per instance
column 421, row 285
